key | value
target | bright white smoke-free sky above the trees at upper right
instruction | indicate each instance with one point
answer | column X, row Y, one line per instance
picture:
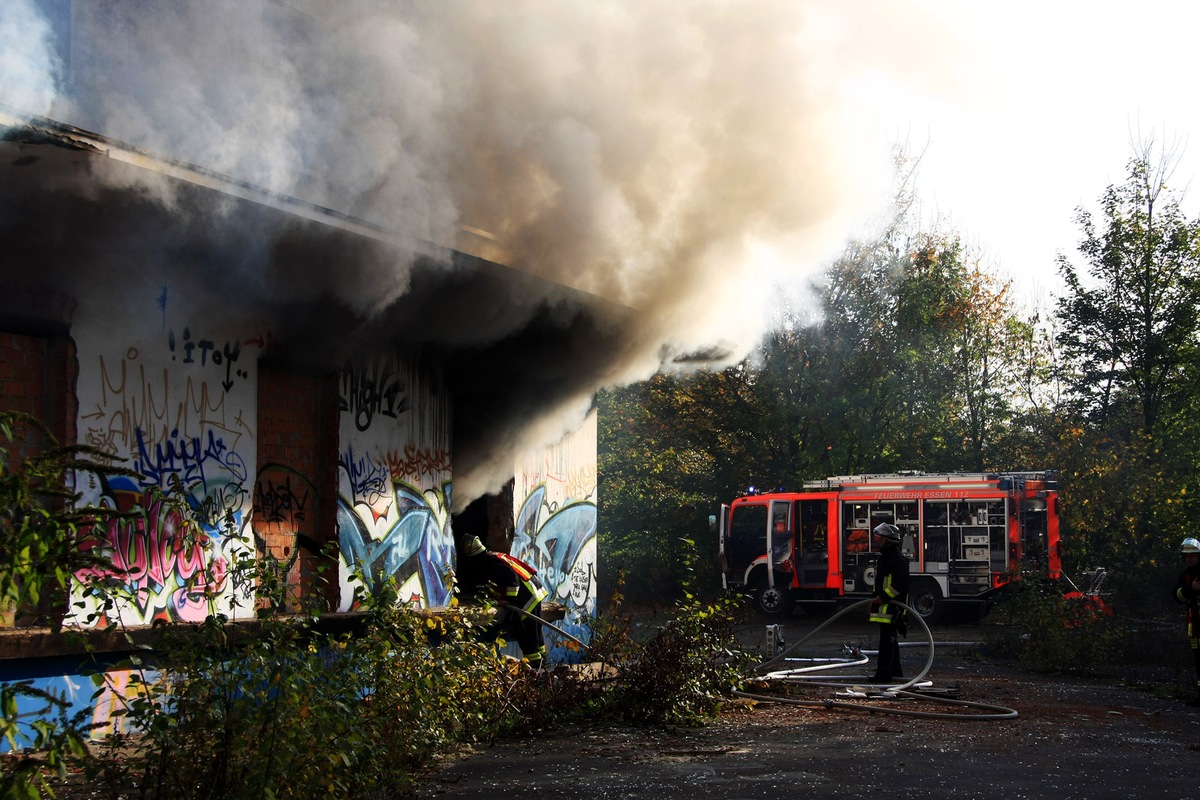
column 1042, row 118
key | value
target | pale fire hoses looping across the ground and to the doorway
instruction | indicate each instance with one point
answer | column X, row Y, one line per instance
column 985, row 712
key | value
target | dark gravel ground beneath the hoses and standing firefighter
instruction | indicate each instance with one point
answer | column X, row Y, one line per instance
column 1070, row 739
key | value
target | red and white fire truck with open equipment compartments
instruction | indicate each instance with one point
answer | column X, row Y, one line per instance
column 965, row 534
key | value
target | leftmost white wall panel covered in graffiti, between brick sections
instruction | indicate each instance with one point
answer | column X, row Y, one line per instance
column 181, row 414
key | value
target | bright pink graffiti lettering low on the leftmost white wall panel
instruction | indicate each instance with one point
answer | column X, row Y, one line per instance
column 160, row 558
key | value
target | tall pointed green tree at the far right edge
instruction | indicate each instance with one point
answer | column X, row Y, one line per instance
column 1129, row 359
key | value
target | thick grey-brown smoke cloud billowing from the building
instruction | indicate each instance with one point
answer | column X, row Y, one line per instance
column 683, row 163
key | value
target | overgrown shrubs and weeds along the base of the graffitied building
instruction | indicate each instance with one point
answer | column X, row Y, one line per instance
column 281, row 709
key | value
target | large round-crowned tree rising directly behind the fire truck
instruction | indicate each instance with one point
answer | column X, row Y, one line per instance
column 916, row 364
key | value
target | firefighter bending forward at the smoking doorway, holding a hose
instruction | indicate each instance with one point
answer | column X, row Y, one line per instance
column 514, row 586
